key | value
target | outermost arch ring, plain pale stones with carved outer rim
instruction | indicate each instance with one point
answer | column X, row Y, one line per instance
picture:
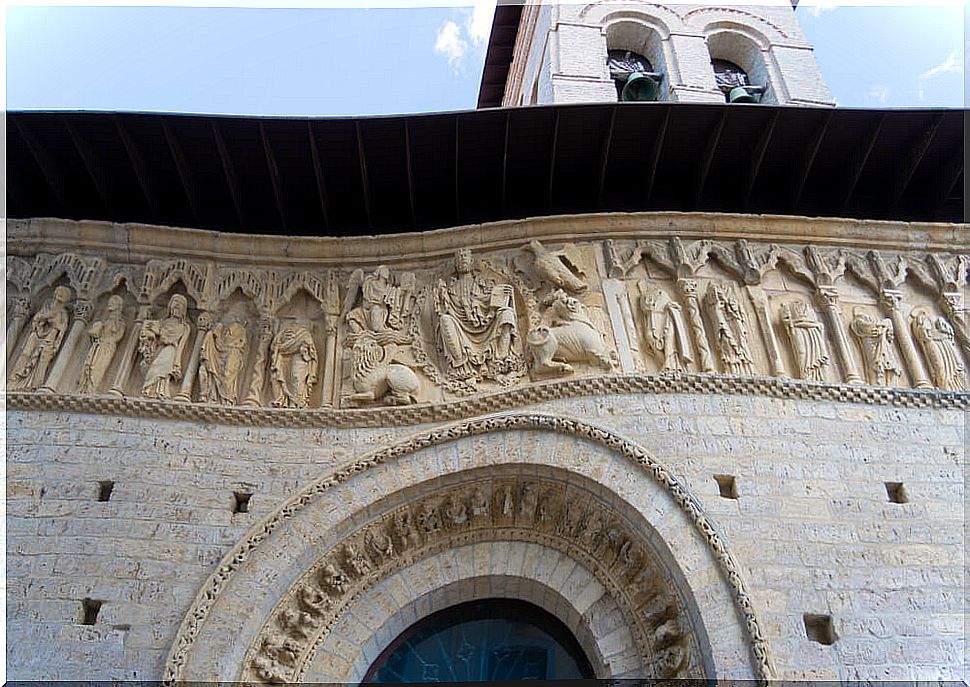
column 233, row 605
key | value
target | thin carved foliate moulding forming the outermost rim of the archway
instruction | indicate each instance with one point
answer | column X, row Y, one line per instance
column 690, row 506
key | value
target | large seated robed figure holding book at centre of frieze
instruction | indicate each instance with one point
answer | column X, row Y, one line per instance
column 475, row 323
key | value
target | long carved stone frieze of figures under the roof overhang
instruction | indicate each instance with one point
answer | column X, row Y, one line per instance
column 426, row 330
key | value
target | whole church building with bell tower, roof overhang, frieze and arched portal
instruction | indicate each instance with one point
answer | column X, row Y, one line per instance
column 641, row 443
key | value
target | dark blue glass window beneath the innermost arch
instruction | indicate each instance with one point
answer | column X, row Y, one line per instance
column 492, row 639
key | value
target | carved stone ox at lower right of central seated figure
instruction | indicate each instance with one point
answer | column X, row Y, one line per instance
column 570, row 337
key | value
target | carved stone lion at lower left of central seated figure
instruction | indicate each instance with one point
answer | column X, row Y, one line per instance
column 375, row 376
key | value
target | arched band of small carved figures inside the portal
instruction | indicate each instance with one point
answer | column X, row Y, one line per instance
column 546, row 512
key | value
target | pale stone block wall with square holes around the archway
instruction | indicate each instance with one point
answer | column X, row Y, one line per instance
column 812, row 525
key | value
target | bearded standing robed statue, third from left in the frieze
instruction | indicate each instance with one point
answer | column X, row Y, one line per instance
column 161, row 343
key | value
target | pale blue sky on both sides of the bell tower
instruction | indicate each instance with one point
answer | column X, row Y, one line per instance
column 343, row 61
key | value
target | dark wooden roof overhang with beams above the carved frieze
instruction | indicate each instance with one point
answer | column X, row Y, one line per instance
column 360, row 176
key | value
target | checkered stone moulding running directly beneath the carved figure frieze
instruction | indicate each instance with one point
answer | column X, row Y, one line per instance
column 667, row 383
